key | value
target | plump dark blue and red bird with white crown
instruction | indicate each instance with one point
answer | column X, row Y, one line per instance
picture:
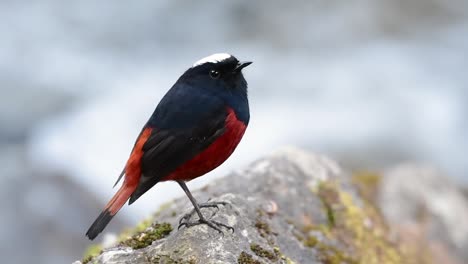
column 195, row 127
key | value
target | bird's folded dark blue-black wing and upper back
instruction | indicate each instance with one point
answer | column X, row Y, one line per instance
column 184, row 124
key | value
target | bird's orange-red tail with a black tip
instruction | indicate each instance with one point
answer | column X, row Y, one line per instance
column 111, row 209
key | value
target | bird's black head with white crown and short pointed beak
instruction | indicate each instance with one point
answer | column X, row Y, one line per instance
column 220, row 74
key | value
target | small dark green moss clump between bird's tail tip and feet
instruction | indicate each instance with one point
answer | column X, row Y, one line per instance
column 146, row 237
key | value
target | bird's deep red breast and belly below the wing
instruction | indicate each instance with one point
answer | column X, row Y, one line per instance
column 215, row 154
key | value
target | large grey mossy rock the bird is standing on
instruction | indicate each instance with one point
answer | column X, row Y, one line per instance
column 290, row 207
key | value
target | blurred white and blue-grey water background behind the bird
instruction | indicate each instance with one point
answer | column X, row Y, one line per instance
column 370, row 83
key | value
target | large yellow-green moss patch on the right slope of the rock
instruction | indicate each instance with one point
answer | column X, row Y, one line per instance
column 360, row 231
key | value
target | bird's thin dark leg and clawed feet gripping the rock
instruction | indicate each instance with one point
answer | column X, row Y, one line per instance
column 184, row 221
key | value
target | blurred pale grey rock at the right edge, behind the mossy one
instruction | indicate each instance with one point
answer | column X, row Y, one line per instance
column 420, row 202
